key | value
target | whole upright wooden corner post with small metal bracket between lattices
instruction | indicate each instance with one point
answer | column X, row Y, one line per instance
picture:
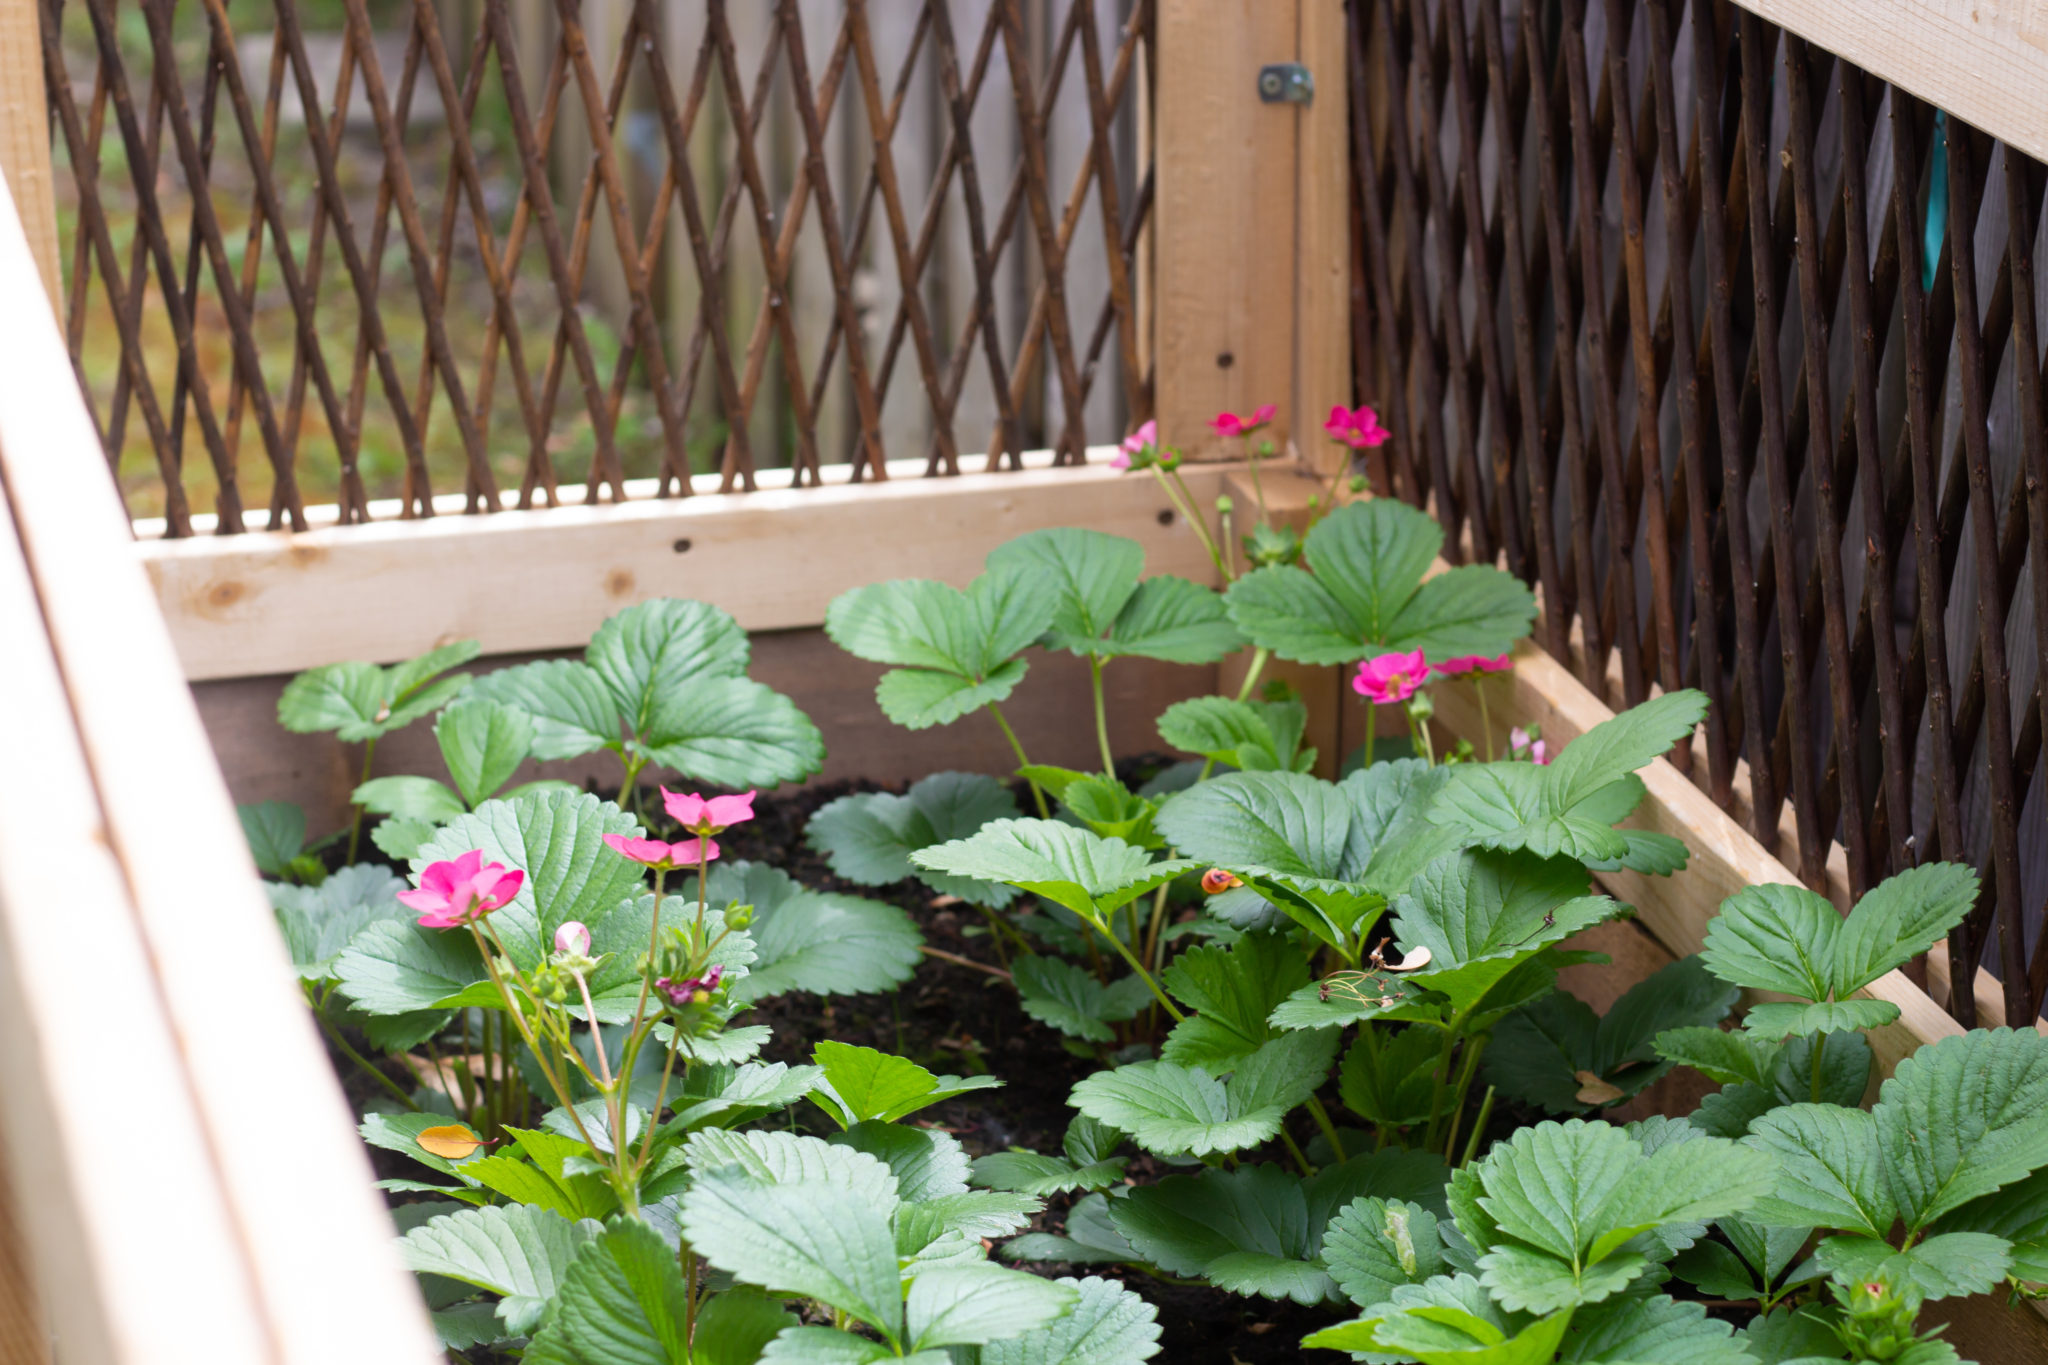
column 1252, row 224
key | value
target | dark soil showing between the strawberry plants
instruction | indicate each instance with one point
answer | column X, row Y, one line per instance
column 957, row 1020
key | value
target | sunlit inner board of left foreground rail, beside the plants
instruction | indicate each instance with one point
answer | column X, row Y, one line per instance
column 296, row 1186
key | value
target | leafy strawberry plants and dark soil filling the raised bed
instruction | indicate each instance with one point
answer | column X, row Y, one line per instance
column 1283, row 1055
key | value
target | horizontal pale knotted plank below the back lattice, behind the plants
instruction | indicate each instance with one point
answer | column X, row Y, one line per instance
column 275, row 603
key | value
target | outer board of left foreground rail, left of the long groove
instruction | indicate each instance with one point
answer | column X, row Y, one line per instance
column 112, row 1178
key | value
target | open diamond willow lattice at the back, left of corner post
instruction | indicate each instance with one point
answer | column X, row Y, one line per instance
column 783, row 200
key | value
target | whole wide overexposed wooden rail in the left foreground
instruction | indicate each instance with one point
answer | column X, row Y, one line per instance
column 194, row 1174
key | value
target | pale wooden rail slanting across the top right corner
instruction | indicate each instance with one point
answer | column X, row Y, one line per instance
column 1981, row 60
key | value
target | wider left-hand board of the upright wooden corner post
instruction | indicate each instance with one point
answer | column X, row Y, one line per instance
column 1222, row 228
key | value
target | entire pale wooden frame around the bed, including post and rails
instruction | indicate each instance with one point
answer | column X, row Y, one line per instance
column 249, row 1217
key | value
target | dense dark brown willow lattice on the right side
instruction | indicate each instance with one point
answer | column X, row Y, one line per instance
column 1811, row 478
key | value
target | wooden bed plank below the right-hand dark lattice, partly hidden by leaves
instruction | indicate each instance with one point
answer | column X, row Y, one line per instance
column 1723, row 856
